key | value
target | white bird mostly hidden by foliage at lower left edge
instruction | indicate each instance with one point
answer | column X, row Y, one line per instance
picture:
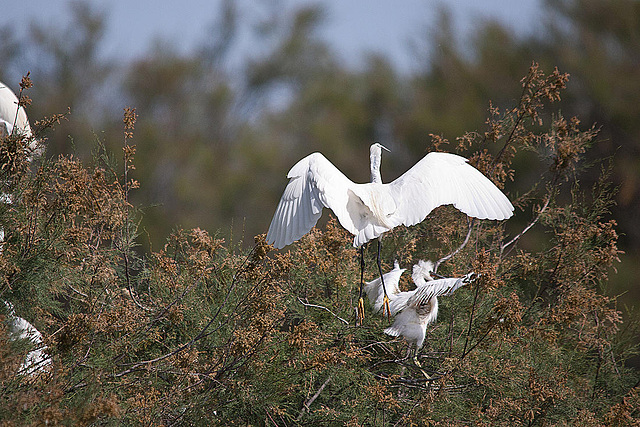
column 37, row 359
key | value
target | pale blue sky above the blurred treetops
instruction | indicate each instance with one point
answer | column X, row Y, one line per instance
column 353, row 27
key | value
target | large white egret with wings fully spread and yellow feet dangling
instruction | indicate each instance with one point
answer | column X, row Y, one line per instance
column 369, row 210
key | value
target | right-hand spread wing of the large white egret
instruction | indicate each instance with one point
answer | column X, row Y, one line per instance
column 441, row 179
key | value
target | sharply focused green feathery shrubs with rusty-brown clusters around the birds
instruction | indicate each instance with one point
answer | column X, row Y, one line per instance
column 203, row 332
